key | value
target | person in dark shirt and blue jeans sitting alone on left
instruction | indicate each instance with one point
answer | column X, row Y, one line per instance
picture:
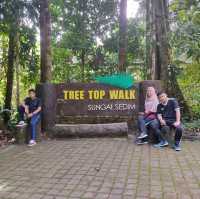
column 31, row 107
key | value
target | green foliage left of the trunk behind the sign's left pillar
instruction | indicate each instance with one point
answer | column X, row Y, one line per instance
column 21, row 17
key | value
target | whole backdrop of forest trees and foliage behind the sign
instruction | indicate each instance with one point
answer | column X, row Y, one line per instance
column 86, row 37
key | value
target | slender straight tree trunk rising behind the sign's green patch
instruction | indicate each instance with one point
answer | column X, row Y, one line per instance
column 122, row 35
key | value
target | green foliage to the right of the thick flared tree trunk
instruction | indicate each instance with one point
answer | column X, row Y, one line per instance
column 185, row 43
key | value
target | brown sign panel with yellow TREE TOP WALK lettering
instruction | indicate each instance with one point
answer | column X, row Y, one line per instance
column 95, row 100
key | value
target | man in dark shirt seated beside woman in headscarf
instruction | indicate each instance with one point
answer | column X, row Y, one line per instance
column 168, row 113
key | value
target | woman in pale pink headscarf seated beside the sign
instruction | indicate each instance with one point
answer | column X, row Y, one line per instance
column 148, row 118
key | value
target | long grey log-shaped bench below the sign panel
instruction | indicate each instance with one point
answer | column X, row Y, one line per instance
column 90, row 130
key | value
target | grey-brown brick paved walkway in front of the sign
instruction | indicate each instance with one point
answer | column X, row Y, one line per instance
column 104, row 168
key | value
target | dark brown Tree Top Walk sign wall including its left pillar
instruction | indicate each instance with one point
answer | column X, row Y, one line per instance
column 91, row 103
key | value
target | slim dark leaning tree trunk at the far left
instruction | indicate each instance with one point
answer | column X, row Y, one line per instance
column 10, row 69
